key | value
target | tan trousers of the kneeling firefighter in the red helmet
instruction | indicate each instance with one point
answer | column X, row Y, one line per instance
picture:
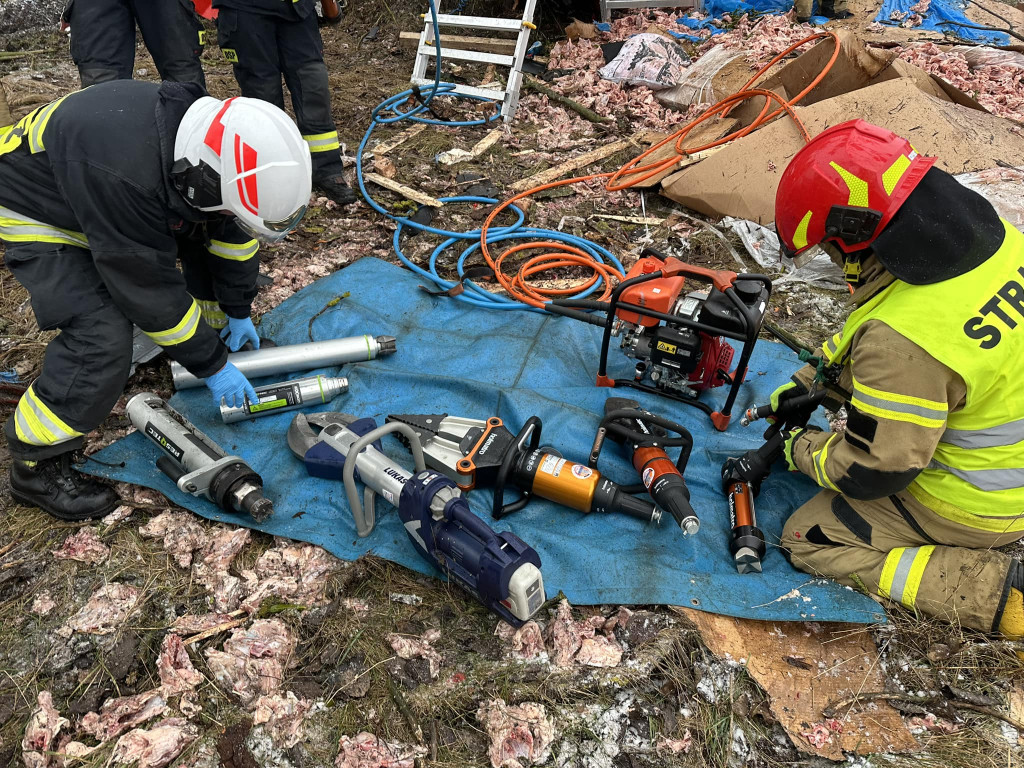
column 900, row 549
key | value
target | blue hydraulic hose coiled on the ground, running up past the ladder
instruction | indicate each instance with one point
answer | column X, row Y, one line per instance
column 388, row 113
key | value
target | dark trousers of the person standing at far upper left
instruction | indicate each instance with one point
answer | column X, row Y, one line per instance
column 103, row 38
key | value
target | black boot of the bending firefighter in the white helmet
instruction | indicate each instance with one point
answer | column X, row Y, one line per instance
column 55, row 486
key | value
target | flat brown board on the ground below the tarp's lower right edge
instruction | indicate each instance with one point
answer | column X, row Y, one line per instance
column 804, row 667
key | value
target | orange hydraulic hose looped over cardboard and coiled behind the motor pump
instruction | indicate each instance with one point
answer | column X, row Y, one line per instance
column 562, row 254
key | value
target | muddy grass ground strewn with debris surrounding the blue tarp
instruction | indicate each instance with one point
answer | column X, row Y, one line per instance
column 668, row 702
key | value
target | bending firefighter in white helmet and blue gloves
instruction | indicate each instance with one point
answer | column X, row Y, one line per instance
column 101, row 193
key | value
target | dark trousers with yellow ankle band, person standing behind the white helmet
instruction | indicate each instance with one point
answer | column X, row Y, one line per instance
column 264, row 48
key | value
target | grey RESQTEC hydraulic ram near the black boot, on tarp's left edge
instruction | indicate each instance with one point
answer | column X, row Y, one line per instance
column 197, row 464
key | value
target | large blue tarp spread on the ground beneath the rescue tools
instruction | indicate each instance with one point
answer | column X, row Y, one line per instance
column 480, row 363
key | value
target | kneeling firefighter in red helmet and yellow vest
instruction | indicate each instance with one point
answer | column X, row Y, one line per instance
column 928, row 478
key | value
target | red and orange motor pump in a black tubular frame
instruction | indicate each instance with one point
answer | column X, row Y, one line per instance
column 678, row 339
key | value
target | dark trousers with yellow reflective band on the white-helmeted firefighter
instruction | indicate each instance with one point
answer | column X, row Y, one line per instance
column 87, row 365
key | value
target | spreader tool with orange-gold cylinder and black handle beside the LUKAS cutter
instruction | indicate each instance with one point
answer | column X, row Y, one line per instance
column 479, row 453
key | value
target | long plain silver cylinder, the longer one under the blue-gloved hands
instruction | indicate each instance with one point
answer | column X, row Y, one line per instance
column 287, row 360
